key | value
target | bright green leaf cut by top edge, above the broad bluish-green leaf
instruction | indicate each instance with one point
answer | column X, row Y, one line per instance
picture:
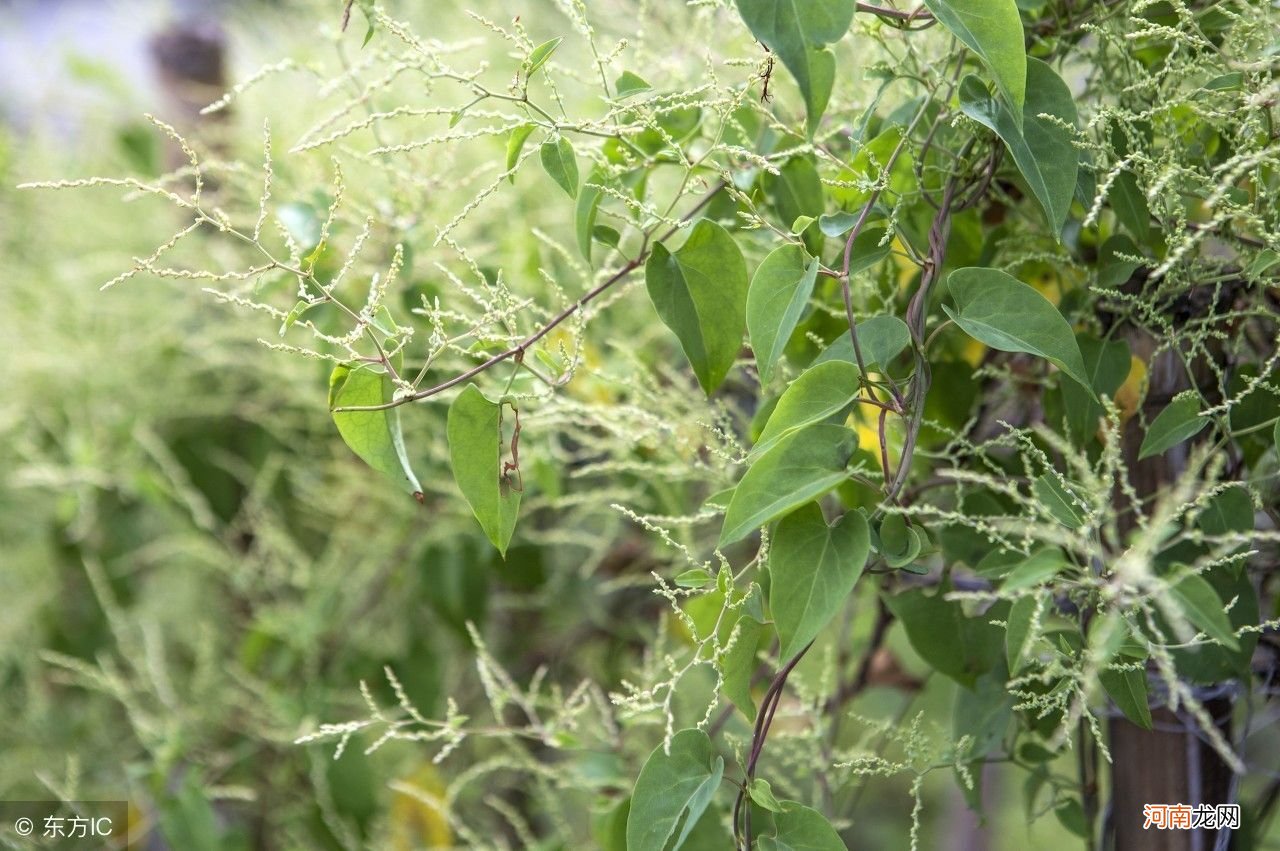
column 993, row 30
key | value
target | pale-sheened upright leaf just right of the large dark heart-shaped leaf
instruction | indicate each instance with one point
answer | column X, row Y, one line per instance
column 778, row 298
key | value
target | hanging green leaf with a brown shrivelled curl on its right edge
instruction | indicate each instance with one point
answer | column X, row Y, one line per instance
column 476, row 452
